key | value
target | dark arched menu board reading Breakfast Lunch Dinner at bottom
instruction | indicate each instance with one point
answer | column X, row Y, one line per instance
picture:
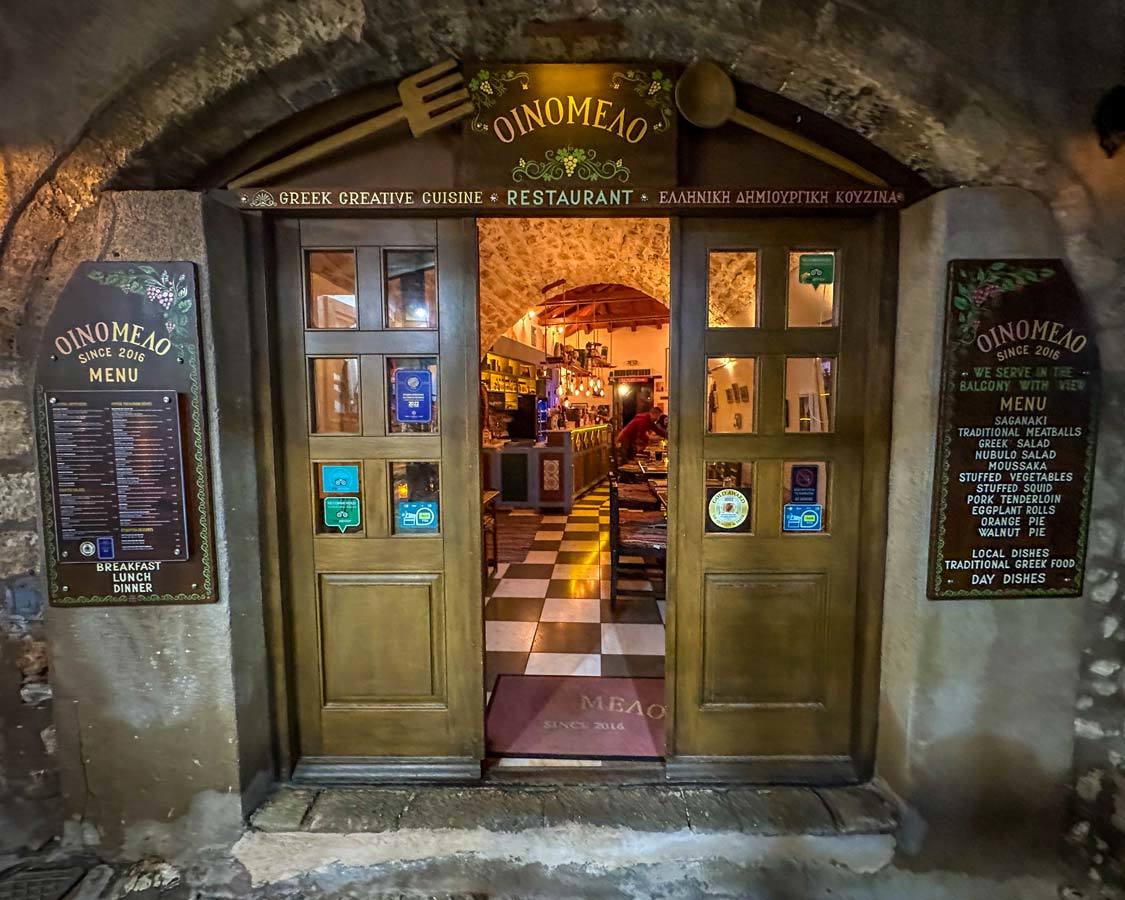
column 122, row 443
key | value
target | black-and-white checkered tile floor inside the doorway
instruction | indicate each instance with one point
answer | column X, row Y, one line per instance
column 551, row 615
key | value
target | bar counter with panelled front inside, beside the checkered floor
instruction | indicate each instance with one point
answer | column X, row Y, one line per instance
column 552, row 474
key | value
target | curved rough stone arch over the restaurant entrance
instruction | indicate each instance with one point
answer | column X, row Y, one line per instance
column 168, row 123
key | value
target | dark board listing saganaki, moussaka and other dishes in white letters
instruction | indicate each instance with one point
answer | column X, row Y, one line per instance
column 1016, row 434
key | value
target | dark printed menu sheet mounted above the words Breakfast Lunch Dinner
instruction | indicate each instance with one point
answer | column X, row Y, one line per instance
column 118, row 475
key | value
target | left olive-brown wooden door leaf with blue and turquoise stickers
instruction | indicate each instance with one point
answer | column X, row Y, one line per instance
column 377, row 364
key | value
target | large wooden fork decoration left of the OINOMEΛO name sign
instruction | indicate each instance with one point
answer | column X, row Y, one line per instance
column 429, row 101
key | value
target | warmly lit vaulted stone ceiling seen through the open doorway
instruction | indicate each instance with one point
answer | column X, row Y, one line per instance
column 520, row 257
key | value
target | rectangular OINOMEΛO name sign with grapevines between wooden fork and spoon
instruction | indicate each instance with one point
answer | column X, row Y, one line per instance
column 545, row 125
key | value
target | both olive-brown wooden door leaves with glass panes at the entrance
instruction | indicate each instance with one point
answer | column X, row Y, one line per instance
column 778, row 466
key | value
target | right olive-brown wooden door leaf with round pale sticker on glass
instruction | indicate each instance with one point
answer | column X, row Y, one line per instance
column 776, row 325
